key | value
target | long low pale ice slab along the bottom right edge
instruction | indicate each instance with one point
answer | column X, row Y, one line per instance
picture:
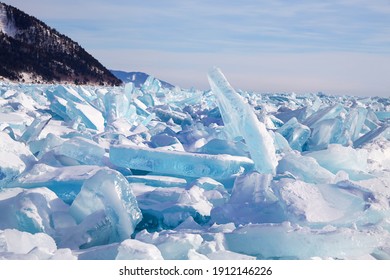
column 286, row 241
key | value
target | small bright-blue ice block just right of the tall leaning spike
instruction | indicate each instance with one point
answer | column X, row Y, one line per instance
column 296, row 134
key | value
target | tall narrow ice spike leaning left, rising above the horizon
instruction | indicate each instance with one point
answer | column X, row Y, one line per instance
column 240, row 120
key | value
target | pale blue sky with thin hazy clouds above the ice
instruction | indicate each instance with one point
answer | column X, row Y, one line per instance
column 303, row 46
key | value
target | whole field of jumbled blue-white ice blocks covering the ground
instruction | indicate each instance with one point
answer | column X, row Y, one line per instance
column 157, row 173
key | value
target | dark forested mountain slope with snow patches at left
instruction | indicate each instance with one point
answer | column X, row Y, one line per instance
column 31, row 51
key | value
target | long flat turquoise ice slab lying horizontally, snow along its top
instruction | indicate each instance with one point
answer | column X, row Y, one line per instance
column 179, row 163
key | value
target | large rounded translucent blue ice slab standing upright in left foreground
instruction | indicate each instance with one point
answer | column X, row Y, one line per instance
column 108, row 195
